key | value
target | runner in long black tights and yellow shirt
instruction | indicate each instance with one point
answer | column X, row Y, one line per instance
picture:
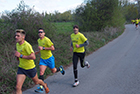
column 77, row 46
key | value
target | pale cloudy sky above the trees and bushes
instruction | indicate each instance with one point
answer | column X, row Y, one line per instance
column 48, row 6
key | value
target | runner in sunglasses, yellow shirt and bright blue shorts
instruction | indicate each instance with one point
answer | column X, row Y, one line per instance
column 47, row 59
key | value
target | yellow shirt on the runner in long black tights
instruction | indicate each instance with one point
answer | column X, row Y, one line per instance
column 78, row 38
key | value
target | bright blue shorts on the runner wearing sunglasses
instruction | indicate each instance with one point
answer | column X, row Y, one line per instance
column 50, row 62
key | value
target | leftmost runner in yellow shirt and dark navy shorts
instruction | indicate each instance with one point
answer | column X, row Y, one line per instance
column 25, row 55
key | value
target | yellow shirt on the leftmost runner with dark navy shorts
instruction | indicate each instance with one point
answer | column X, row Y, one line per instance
column 25, row 49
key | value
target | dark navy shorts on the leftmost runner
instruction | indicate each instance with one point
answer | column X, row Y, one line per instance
column 30, row 73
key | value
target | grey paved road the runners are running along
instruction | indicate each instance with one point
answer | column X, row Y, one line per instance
column 115, row 69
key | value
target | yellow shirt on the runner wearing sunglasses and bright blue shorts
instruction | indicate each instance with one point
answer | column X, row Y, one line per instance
column 45, row 42
